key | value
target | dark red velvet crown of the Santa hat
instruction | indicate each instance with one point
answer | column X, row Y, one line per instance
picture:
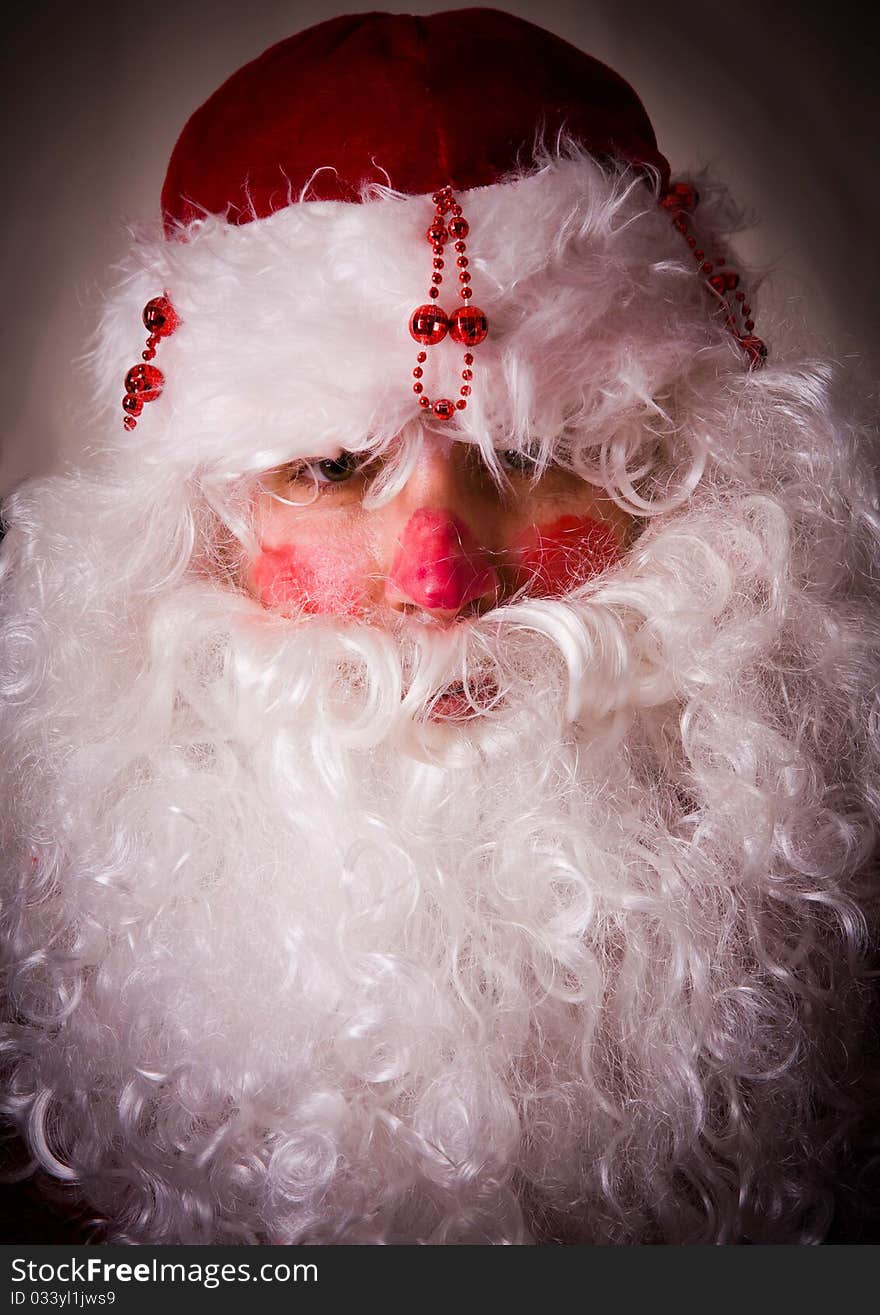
column 408, row 102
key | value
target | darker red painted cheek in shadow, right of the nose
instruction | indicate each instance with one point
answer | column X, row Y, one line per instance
column 552, row 560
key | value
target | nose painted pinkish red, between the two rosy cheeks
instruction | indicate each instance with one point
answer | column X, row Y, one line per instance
column 439, row 566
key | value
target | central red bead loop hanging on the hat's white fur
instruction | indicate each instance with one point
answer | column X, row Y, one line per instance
column 429, row 324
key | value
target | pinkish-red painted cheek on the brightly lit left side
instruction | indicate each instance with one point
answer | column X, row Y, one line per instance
column 315, row 579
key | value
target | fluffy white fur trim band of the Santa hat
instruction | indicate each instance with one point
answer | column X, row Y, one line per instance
column 295, row 337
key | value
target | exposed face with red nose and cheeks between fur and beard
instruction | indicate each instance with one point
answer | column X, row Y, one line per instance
column 451, row 541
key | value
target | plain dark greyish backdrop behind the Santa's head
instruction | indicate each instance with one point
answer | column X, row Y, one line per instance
column 778, row 98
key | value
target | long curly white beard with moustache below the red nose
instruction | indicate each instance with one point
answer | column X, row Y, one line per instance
column 291, row 962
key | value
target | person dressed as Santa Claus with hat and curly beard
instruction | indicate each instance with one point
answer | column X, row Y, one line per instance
column 440, row 778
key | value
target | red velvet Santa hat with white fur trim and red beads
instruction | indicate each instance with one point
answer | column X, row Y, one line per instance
column 302, row 304
